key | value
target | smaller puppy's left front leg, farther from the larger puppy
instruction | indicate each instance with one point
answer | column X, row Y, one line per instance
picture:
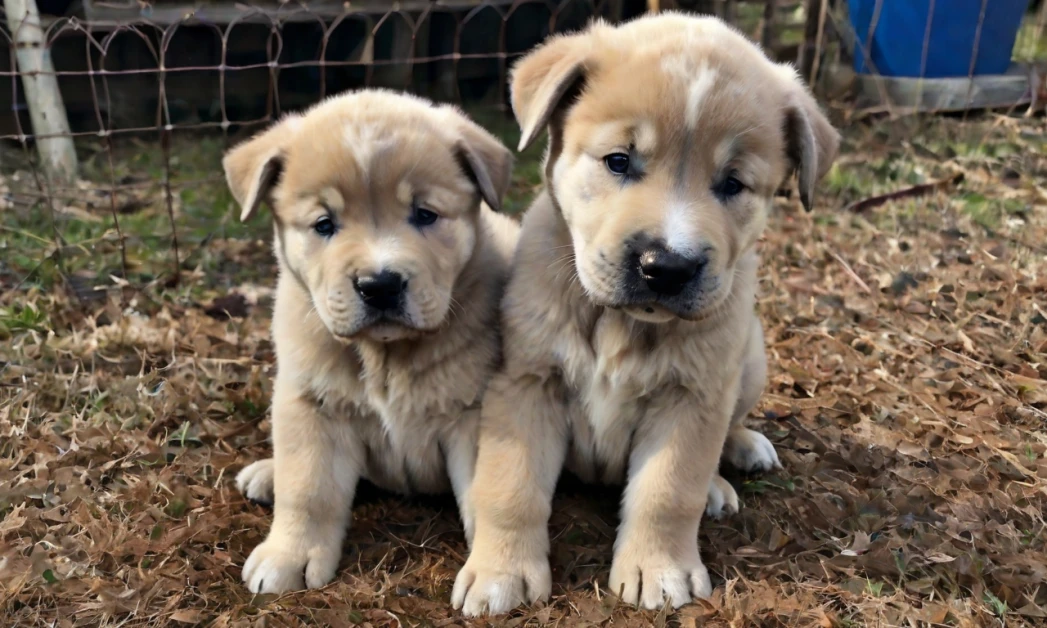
column 317, row 467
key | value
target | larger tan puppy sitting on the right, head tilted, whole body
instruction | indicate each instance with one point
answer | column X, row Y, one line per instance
column 632, row 348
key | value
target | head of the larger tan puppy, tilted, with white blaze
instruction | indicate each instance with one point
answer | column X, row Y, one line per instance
column 669, row 139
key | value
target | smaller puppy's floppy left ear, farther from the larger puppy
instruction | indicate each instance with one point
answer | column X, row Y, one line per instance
column 253, row 168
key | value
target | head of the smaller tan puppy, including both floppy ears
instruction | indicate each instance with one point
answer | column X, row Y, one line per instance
column 376, row 199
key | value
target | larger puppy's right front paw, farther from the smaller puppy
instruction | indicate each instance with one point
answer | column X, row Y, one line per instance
column 650, row 578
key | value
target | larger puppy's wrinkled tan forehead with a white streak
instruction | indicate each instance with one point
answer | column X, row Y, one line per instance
column 683, row 101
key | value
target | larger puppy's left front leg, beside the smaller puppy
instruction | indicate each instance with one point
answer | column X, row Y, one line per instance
column 523, row 442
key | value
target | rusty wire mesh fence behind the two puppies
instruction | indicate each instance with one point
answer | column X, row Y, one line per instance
column 153, row 94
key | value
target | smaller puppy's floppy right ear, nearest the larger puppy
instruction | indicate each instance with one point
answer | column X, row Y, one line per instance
column 485, row 160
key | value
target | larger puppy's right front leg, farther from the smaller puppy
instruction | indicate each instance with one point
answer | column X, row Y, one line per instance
column 657, row 549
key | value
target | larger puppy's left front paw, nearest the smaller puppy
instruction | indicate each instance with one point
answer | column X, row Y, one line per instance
column 494, row 588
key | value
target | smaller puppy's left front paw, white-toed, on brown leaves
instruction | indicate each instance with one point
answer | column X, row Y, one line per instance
column 277, row 567
